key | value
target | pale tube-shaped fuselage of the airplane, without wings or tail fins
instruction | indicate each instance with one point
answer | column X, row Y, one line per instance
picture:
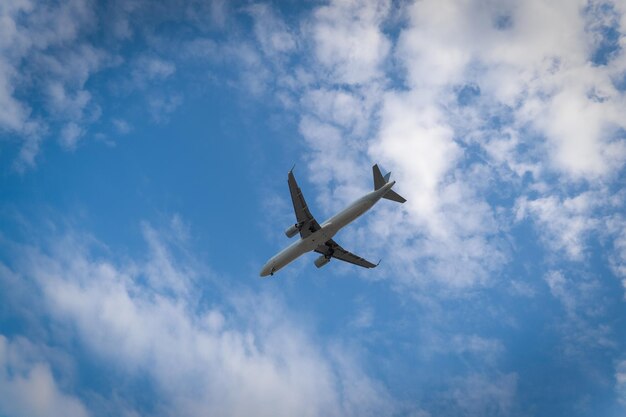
column 328, row 229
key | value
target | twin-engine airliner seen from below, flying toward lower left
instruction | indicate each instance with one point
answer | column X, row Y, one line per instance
column 319, row 238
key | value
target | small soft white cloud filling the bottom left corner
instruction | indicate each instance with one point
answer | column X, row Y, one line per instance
column 27, row 386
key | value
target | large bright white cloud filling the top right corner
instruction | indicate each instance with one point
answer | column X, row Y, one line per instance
column 538, row 66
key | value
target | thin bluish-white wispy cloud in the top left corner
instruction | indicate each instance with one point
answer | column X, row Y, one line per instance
column 41, row 51
